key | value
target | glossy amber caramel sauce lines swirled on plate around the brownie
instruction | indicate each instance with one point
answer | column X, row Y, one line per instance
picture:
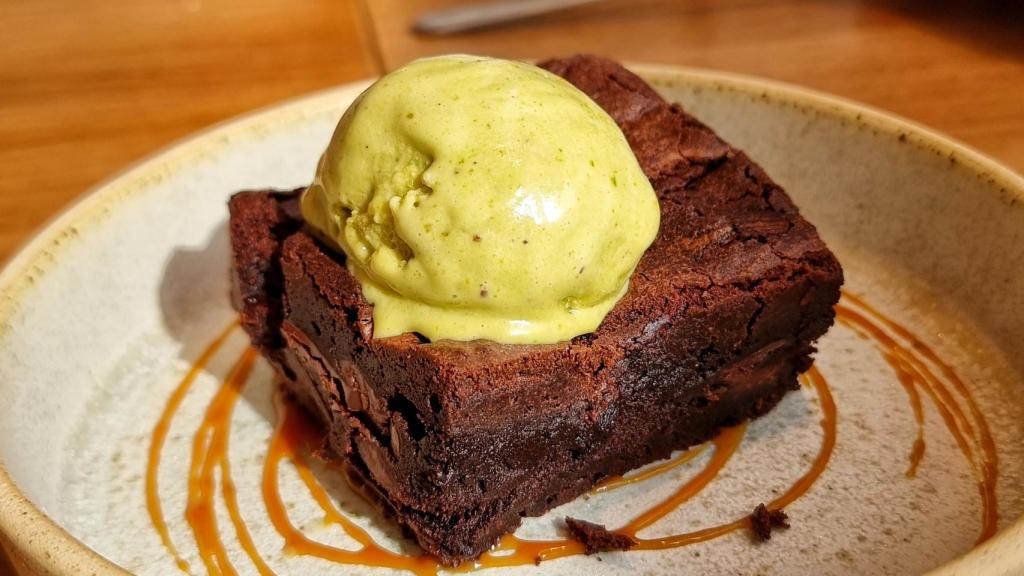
column 917, row 366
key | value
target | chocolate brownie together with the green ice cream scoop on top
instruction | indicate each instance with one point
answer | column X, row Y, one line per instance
column 507, row 283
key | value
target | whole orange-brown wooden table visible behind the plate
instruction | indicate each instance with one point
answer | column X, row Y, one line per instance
column 91, row 87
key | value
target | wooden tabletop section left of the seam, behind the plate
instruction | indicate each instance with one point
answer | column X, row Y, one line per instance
column 90, row 87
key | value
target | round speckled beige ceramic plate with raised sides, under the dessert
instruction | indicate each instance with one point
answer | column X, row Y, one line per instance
column 102, row 314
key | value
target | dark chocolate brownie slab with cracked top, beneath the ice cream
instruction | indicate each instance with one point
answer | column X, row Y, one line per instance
column 462, row 440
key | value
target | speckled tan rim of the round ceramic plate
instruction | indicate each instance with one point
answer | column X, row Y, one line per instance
column 39, row 544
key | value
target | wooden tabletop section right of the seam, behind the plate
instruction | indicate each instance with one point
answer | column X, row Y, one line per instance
column 956, row 66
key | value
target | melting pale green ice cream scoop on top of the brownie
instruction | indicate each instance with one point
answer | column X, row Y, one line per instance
column 483, row 199
